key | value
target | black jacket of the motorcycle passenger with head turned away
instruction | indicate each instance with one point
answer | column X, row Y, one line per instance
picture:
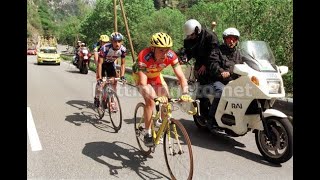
column 205, row 48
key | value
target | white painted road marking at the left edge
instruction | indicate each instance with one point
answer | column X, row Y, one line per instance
column 32, row 132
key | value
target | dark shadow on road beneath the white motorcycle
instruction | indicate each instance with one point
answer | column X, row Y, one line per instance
column 220, row 142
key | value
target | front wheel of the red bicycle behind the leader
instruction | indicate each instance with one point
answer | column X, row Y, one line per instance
column 114, row 109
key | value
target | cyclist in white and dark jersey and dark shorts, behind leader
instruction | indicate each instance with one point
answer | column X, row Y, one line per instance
column 108, row 54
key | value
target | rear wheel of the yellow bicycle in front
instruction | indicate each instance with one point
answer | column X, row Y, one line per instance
column 139, row 128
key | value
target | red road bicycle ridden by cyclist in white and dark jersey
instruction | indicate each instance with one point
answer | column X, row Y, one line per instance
column 110, row 102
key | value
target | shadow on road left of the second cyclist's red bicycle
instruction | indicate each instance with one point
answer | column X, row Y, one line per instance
column 86, row 116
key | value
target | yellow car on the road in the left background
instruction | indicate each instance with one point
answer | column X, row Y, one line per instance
column 48, row 55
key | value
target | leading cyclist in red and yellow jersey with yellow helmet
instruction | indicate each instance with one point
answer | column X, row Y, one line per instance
column 147, row 75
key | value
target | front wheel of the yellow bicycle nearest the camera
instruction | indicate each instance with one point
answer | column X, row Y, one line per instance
column 178, row 151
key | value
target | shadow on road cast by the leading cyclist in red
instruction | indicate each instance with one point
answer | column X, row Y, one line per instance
column 129, row 157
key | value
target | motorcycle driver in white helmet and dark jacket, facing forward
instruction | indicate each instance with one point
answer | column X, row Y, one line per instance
column 223, row 70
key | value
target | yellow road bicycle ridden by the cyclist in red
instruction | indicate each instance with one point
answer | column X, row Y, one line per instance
column 171, row 133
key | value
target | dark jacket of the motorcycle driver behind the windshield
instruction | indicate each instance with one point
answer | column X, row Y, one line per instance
column 227, row 59
